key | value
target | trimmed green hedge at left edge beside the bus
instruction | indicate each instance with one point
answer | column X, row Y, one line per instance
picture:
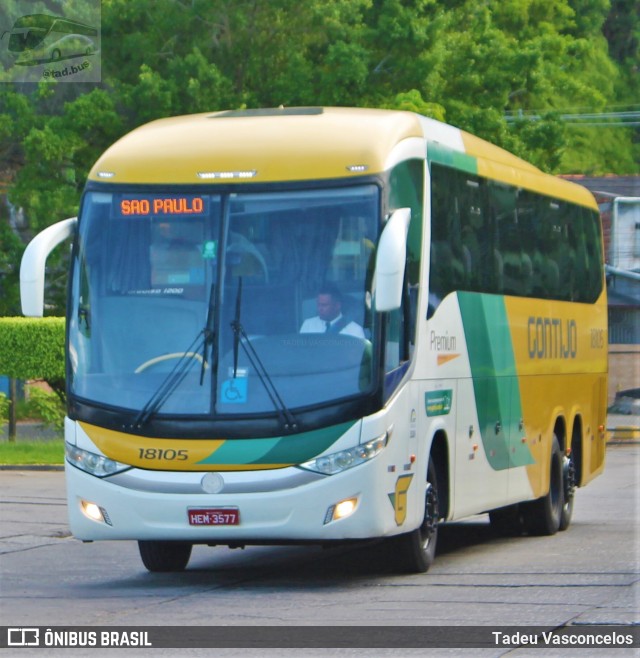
column 32, row 348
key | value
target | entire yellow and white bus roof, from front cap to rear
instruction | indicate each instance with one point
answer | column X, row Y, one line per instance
column 295, row 144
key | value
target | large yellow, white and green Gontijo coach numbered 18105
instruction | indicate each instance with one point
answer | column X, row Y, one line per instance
column 198, row 411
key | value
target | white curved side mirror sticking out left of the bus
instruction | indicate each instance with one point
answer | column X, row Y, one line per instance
column 33, row 262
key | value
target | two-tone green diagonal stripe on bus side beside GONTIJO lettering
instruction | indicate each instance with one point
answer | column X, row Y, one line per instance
column 495, row 380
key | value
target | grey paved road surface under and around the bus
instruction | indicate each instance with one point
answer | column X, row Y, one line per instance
column 585, row 576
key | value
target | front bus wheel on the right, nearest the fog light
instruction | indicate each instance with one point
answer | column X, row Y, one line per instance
column 415, row 551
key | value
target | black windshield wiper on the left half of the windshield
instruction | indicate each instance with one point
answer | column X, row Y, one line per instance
column 185, row 363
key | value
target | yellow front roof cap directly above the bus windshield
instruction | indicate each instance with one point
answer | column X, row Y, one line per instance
column 279, row 145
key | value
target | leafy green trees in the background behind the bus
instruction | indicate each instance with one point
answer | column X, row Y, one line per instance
column 475, row 64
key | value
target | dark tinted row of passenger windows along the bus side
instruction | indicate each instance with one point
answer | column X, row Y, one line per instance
column 495, row 238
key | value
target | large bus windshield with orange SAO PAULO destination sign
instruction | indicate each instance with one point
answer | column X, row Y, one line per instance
column 211, row 304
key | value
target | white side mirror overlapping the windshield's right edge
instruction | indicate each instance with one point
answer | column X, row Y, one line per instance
column 391, row 260
